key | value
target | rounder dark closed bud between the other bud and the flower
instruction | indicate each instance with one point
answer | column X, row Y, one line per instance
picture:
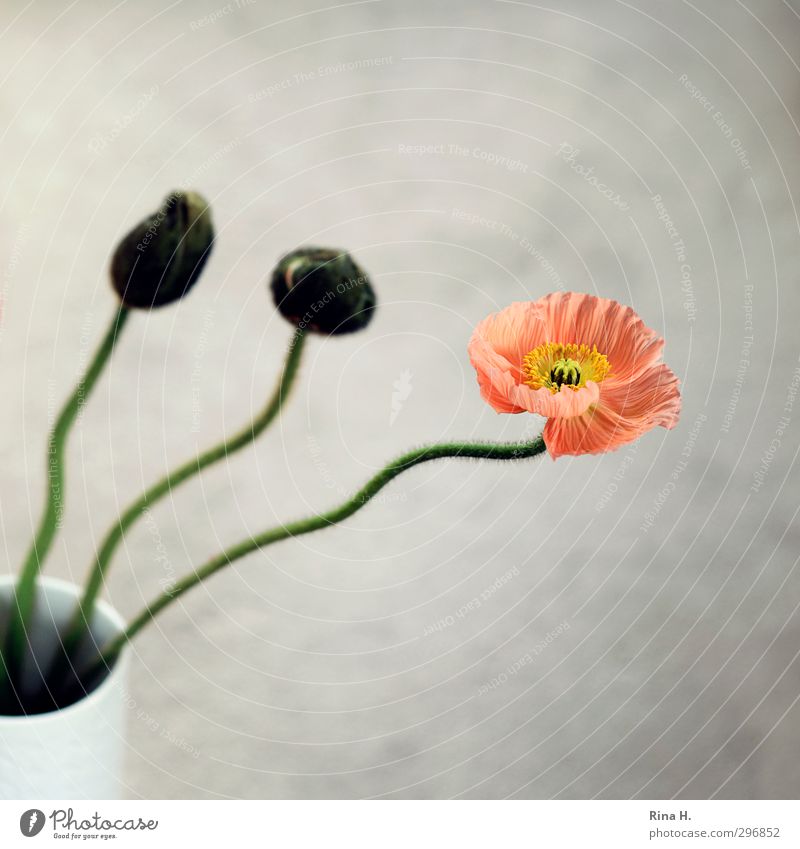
column 322, row 289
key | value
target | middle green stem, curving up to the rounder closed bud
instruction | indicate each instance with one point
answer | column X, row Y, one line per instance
column 78, row 626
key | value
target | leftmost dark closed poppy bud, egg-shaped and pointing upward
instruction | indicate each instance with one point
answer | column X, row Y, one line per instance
column 162, row 257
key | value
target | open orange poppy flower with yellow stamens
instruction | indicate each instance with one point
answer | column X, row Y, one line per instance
column 589, row 365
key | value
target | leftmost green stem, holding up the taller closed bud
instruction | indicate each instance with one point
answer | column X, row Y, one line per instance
column 22, row 606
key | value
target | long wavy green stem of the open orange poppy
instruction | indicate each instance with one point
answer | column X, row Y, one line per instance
column 489, row 451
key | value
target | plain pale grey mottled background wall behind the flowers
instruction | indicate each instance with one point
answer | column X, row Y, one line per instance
column 316, row 668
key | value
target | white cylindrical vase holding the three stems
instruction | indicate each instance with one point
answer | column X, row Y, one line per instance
column 76, row 752
